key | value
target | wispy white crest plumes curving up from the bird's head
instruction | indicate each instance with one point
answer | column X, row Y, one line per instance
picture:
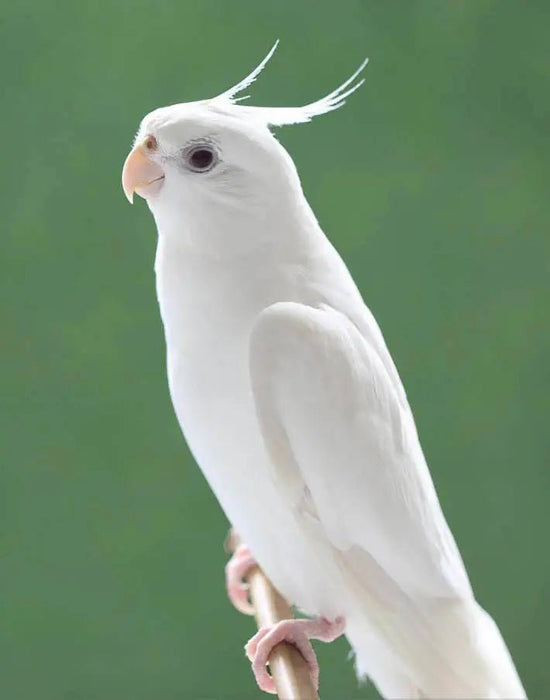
column 282, row 116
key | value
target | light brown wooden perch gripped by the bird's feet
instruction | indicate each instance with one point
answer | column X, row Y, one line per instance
column 288, row 667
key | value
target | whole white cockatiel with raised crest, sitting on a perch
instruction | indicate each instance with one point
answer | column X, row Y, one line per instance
column 293, row 408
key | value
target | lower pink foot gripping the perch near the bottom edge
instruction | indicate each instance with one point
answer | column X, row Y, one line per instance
column 297, row 632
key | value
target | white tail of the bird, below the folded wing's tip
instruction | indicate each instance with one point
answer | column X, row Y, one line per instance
column 446, row 649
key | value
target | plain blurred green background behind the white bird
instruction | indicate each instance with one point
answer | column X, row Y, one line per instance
column 433, row 184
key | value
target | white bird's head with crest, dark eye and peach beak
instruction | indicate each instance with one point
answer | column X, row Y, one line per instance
column 217, row 154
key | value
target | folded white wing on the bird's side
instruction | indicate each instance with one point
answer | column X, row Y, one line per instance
column 338, row 432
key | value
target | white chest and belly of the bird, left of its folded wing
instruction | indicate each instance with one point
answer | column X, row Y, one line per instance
column 211, row 391
